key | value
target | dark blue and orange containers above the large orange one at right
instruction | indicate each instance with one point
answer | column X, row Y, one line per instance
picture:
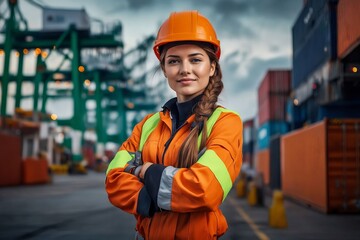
column 326, row 57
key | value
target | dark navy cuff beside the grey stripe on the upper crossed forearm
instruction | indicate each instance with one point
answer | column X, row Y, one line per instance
column 152, row 180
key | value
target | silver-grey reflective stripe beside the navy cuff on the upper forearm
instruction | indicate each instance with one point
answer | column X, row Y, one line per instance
column 165, row 189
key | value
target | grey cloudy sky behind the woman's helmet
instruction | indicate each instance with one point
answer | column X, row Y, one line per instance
column 255, row 35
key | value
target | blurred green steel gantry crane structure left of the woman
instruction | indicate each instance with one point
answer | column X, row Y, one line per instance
column 111, row 85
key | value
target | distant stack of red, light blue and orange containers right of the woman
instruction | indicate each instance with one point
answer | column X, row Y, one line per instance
column 273, row 94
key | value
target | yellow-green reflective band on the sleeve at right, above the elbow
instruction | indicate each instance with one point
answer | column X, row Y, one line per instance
column 211, row 160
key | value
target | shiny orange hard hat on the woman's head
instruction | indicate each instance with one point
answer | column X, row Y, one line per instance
column 186, row 26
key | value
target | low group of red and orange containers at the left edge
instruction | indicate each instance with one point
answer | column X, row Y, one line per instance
column 22, row 161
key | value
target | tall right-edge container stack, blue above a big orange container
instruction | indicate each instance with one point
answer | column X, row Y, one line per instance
column 320, row 161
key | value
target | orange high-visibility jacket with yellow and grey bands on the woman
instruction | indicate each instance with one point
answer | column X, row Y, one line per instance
column 187, row 200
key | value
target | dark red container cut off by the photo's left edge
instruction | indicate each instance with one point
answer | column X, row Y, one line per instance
column 10, row 160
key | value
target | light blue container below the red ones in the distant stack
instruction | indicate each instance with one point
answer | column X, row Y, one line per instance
column 269, row 129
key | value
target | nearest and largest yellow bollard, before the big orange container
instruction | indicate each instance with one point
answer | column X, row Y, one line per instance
column 277, row 216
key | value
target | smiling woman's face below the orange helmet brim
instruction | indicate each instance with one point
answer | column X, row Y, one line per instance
column 188, row 69
